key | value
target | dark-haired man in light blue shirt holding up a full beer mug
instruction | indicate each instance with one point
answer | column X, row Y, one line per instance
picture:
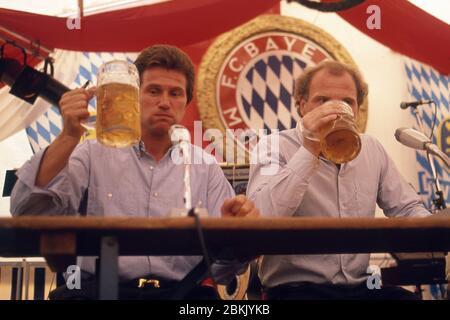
column 139, row 181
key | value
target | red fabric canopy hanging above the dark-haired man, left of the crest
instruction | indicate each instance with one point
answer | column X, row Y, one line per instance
column 180, row 22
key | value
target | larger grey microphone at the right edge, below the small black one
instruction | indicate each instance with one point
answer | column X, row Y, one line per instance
column 417, row 140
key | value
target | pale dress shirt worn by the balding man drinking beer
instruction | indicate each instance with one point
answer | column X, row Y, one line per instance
column 290, row 181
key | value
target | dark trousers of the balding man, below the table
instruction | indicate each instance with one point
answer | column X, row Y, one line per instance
column 313, row 291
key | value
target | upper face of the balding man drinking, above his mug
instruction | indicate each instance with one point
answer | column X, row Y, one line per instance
column 325, row 86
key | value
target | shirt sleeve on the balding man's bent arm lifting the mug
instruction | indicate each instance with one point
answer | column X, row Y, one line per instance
column 277, row 185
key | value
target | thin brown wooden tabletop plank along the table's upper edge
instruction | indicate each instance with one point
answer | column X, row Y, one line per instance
column 290, row 223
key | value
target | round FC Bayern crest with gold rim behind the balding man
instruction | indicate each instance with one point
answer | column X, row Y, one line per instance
column 246, row 78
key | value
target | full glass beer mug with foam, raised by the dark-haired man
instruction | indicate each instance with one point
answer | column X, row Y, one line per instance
column 118, row 122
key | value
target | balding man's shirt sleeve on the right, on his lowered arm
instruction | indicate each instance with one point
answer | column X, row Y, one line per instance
column 395, row 196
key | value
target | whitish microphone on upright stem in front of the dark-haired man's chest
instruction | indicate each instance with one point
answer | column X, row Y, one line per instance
column 181, row 138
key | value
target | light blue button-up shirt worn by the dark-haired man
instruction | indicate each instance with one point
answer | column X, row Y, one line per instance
column 124, row 182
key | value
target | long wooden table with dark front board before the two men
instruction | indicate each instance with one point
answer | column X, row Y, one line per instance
column 61, row 238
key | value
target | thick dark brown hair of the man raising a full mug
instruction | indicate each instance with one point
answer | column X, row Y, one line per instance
column 171, row 58
